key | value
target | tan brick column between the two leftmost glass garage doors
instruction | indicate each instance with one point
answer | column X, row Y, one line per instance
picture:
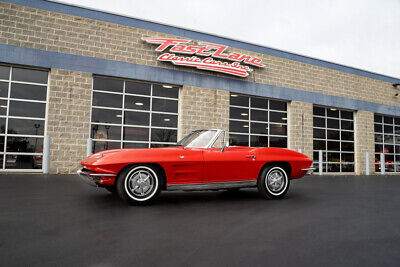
column 68, row 119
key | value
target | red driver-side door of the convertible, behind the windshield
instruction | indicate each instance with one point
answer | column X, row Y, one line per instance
column 231, row 164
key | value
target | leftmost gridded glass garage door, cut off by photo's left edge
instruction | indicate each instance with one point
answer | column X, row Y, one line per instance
column 23, row 95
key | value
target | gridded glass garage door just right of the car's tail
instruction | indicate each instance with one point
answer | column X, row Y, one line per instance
column 333, row 134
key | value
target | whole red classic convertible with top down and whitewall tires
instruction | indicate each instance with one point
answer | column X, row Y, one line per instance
column 200, row 161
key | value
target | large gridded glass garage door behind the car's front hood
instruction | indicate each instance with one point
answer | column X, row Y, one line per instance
column 132, row 114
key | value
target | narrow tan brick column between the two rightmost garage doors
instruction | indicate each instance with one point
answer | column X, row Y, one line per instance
column 364, row 141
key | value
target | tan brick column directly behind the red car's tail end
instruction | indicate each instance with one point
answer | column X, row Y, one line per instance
column 300, row 127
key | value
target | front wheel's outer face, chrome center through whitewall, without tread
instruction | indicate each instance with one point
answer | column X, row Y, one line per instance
column 141, row 183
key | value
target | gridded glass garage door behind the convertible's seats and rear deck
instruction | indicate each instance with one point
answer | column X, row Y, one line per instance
column 257, row 122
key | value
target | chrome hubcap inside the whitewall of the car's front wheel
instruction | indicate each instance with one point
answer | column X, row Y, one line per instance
column 140, row 183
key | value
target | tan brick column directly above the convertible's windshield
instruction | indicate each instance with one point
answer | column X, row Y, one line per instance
column 201, row 108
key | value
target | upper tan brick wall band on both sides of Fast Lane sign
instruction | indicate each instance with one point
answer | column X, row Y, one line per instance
column 29, row 27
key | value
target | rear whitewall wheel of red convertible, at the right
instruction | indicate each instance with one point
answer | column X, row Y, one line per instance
column 273, row 182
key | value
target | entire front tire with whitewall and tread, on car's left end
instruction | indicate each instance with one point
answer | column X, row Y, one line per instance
column 139, row 184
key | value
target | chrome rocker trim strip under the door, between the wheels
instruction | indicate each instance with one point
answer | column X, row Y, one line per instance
column 210, row 186
